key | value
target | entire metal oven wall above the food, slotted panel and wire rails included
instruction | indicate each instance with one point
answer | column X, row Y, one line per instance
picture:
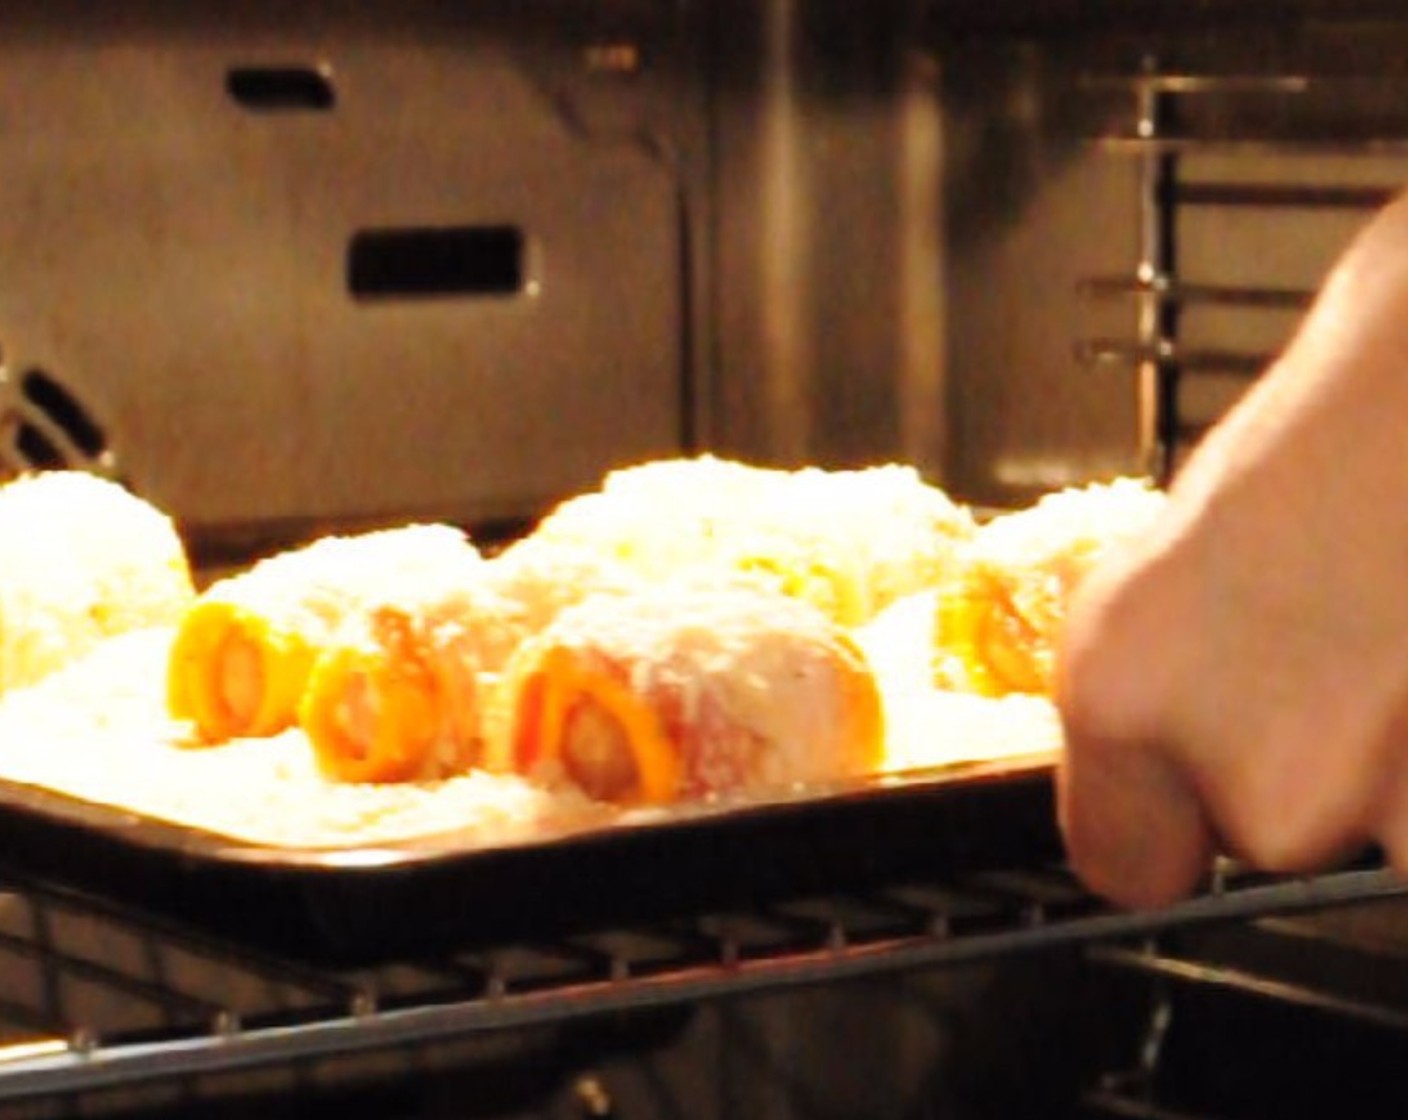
column 298, row 267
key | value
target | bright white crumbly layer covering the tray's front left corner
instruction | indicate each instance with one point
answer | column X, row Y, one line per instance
column 99, row 730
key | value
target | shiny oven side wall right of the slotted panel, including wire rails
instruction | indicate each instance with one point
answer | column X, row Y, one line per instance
column 1031, row 244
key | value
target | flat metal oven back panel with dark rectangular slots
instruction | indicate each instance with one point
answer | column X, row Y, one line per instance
column 322, row 264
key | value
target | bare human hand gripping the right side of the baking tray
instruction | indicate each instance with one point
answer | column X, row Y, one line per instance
column 1238, row 680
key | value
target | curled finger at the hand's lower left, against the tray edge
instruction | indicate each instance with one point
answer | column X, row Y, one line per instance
column 1134, row 826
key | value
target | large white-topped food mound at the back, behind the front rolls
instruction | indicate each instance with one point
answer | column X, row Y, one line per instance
column 847, row 542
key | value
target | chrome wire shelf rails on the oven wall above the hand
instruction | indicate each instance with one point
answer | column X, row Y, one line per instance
column 1207, row 143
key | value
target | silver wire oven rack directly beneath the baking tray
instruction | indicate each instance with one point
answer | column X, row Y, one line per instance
column 98, row 998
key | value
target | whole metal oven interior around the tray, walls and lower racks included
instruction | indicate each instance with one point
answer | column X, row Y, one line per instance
column 287, row 270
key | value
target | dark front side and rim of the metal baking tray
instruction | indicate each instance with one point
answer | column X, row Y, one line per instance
column 356, row 907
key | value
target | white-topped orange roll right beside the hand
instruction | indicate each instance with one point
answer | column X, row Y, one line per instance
column 1000, row 616
